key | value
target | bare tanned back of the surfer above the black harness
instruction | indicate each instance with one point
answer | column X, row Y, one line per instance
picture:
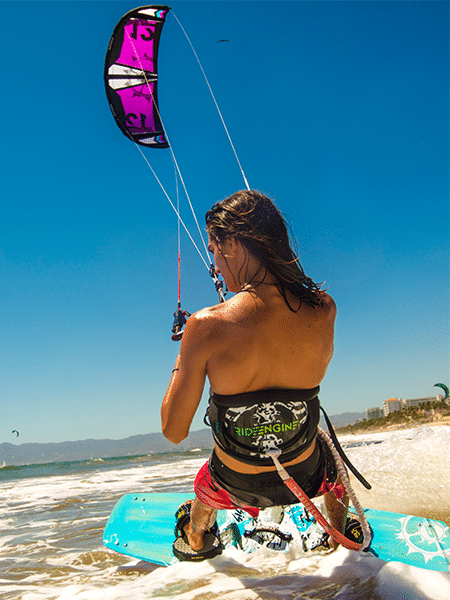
column 257, row 342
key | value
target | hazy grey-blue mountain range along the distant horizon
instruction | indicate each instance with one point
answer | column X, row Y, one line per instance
column 151, row 443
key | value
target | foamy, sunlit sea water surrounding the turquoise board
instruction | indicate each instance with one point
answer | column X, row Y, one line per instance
column 52, row 518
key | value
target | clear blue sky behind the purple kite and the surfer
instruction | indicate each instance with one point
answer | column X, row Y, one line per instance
column 338, row 111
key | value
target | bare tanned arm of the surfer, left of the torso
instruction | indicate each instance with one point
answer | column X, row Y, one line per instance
column 187, row 382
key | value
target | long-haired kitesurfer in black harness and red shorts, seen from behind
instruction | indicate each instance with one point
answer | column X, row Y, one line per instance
column 265, row 352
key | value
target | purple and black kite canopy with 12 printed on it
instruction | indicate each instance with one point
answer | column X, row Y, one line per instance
column 131, row 75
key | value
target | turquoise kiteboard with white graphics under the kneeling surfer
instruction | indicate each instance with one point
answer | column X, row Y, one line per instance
column 142, row 526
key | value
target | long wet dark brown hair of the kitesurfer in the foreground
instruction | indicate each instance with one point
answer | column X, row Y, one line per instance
column 256, row 222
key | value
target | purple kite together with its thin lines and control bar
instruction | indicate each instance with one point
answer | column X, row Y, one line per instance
column 131, row 87
